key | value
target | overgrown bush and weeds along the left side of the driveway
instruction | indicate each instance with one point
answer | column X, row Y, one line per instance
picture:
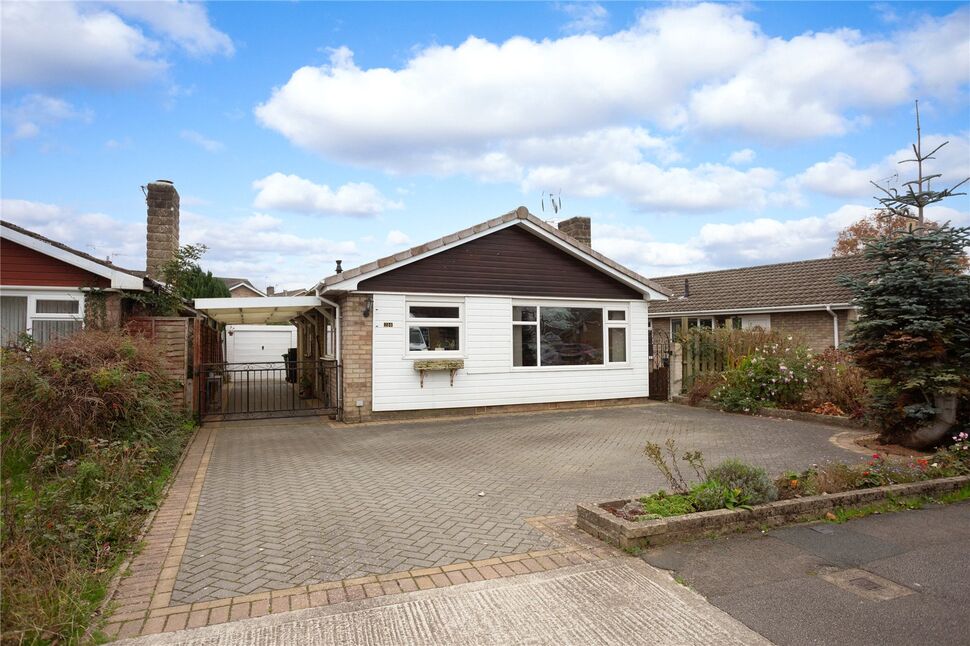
column 89, row 440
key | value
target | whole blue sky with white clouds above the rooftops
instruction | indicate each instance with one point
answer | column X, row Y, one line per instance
column 696, row 136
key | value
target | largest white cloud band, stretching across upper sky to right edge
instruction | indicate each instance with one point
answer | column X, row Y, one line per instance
column 477, row 97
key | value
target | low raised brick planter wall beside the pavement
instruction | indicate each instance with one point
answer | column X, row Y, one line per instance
column 594, row 519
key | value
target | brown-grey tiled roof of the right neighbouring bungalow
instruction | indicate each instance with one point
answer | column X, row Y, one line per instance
column 806, row 282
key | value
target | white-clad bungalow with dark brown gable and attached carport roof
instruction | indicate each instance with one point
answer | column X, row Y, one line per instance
column 510, row 313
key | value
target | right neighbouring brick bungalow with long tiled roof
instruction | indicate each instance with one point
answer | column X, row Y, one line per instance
column 803, row 298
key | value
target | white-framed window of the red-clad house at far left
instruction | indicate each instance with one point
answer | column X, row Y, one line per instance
column 44, row 315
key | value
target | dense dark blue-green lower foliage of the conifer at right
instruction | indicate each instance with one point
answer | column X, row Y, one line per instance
column 913, row 333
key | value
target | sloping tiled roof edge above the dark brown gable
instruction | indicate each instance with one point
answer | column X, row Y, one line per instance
column 520, row 213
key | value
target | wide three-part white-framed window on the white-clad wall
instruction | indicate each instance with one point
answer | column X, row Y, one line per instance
column 570, row 335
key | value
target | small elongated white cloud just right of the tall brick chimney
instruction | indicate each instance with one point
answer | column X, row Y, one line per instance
column 293, row 193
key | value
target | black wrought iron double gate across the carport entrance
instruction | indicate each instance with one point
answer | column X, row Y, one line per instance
column 270, row 389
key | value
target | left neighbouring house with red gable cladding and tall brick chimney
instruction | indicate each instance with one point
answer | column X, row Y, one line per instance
column 49, row 290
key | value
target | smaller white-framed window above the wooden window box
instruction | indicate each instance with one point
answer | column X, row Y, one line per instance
column 435, row 328
